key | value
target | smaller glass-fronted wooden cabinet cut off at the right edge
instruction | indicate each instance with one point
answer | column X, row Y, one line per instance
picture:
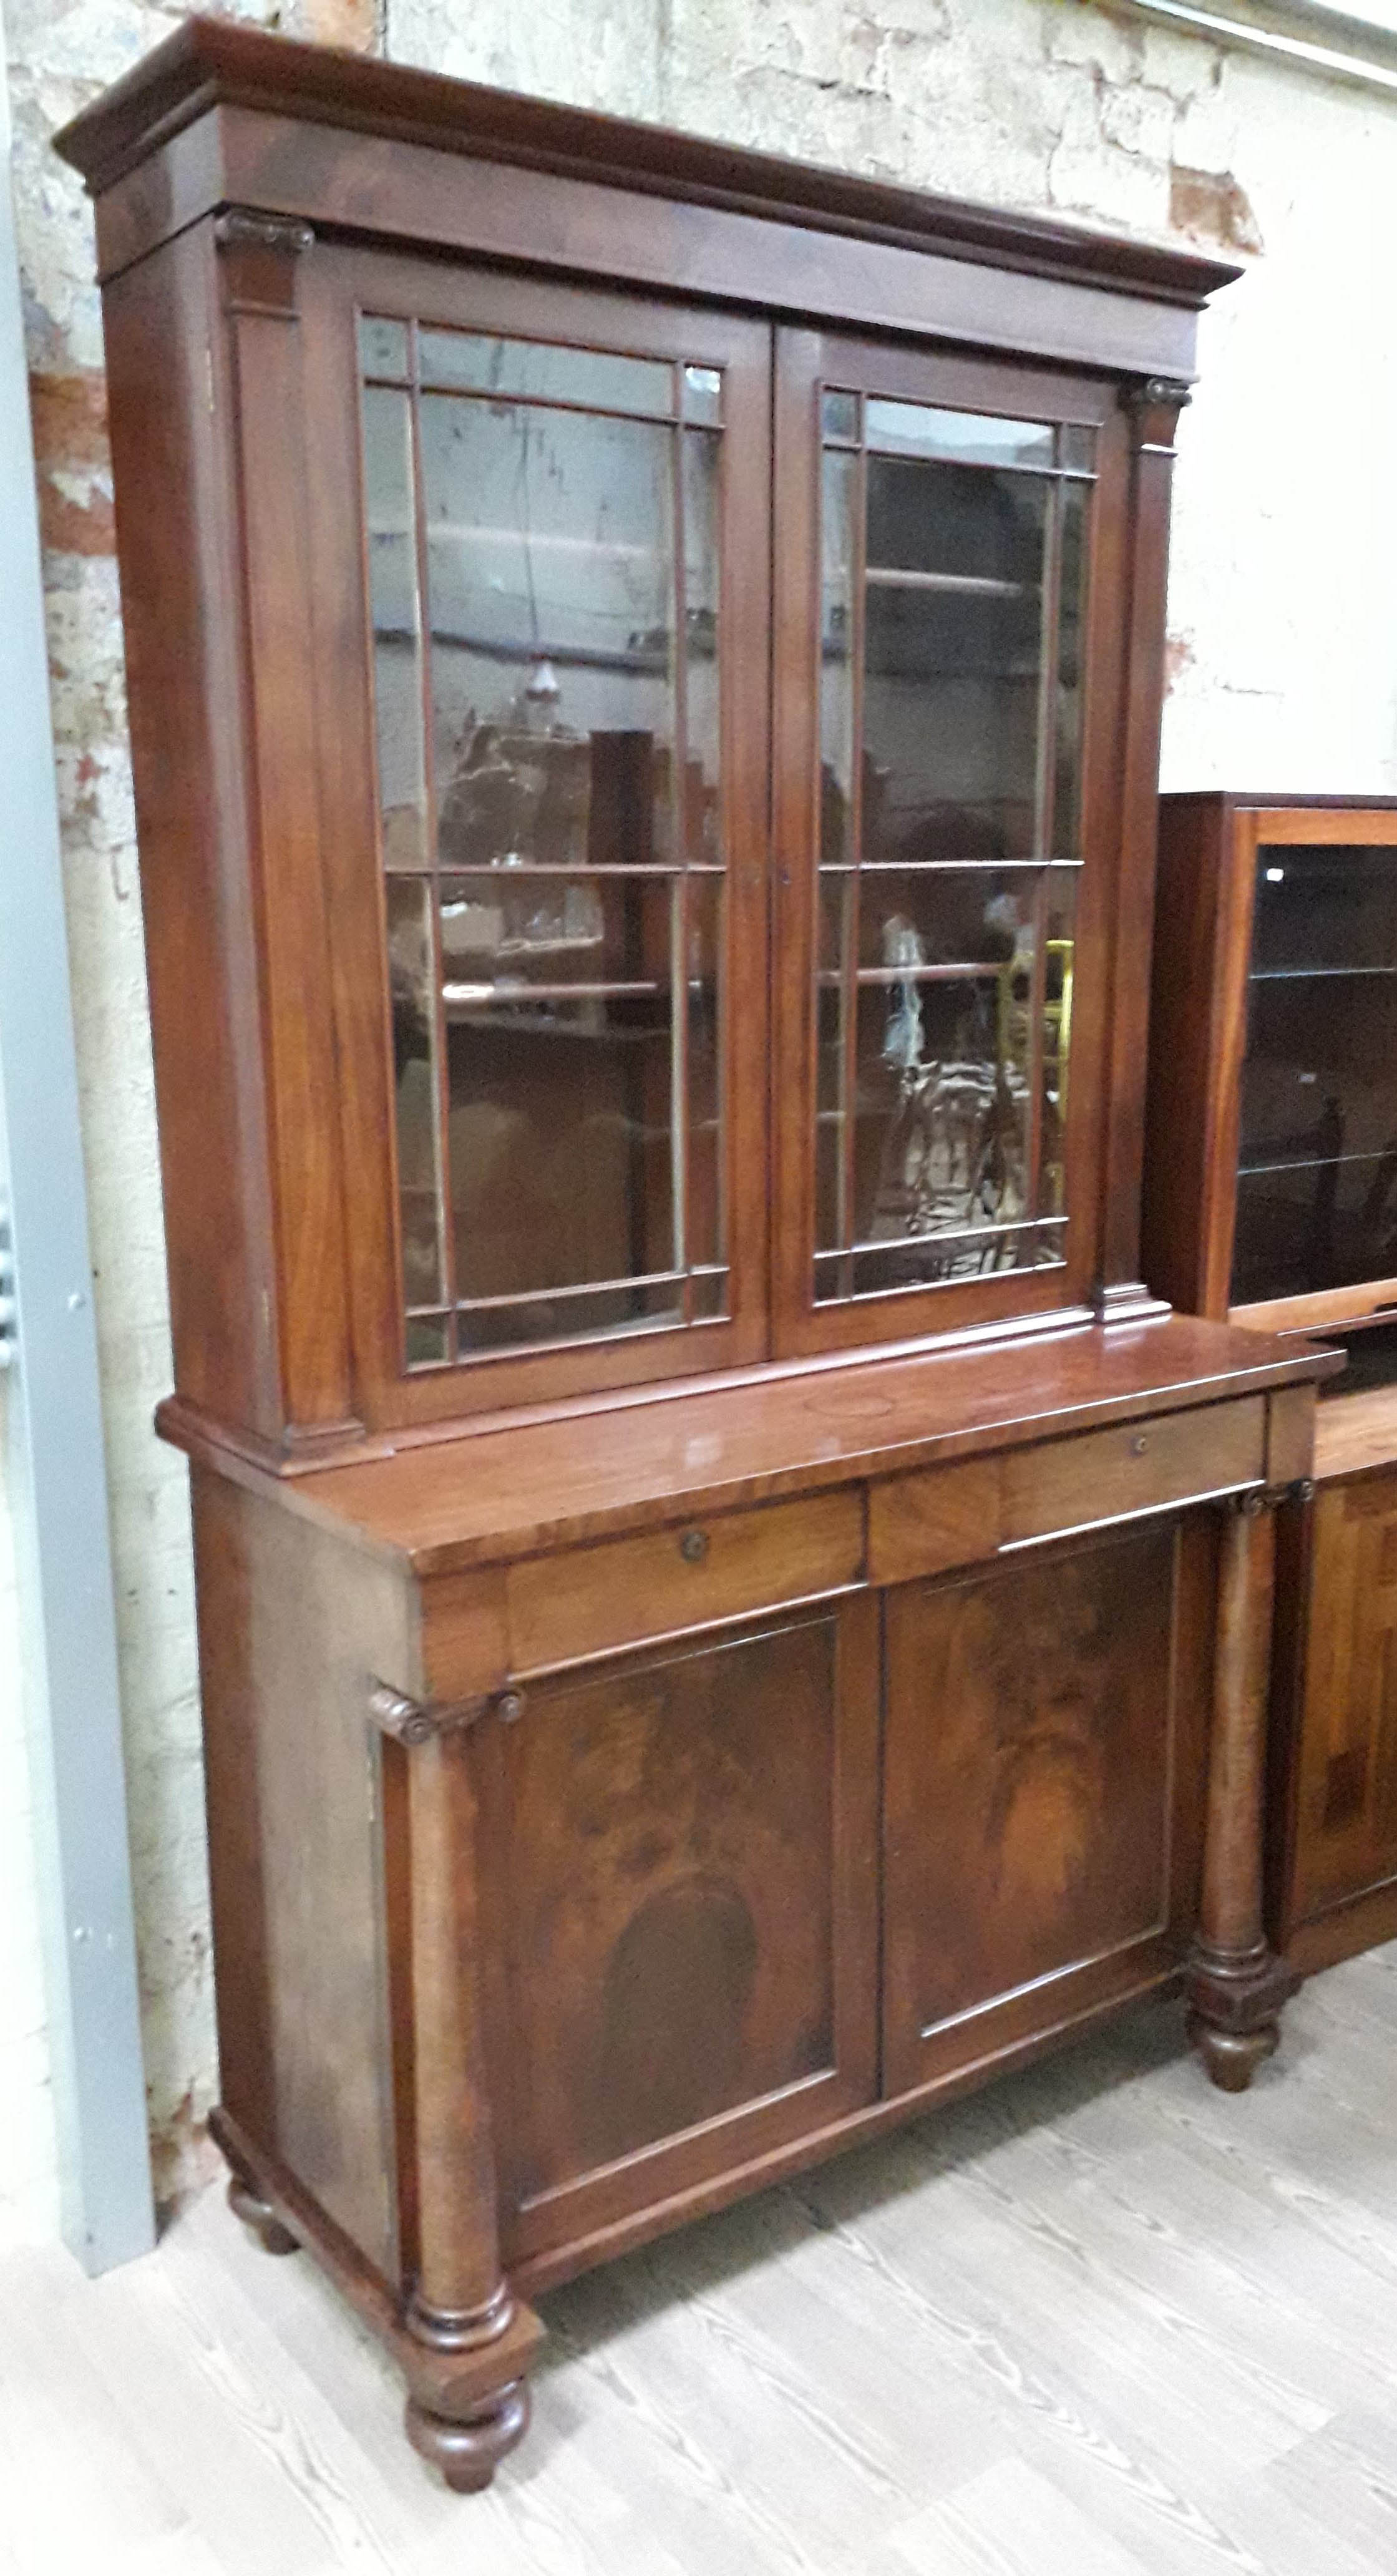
column 1272, row 1199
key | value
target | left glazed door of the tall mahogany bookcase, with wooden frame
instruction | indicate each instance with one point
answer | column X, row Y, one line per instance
column 543, row 601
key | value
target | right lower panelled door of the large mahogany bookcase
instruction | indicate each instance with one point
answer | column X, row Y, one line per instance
column 1045, row 1763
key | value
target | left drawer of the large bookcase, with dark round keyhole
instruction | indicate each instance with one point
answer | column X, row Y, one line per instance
column 684, row 1578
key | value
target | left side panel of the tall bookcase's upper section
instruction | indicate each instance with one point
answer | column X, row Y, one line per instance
column 184, row 694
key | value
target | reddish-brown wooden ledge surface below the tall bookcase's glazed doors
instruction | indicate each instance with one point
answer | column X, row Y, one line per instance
column 635, row 1462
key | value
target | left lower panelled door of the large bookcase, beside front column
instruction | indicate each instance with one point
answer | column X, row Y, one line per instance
column 682, row 1897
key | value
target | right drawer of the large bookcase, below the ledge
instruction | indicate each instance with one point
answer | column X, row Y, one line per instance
column 1135, row 1467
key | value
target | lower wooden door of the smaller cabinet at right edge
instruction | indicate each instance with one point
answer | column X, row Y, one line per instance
column 1347, row 1810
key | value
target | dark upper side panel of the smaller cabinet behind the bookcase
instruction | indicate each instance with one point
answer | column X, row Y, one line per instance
column 1182, row 1052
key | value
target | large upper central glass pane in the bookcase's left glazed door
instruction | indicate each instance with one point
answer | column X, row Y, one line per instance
column 553, row 601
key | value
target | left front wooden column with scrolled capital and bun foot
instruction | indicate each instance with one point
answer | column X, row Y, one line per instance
column 470, row 2402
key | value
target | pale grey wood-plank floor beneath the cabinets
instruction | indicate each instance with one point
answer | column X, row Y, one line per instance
column 1097, row 2322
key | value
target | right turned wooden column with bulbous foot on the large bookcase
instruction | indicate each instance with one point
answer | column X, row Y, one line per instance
column 1236, row 1982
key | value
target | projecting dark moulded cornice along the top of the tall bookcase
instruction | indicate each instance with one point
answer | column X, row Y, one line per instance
column 220, row 63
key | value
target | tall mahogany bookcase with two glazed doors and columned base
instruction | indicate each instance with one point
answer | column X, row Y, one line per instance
column 728, row 1614
